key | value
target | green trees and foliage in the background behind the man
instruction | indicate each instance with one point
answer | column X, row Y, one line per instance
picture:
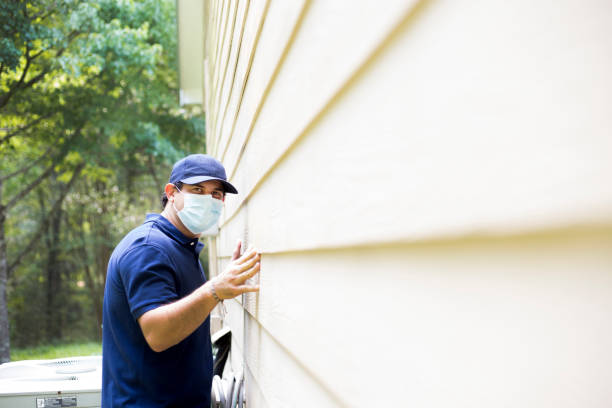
column 90, row 127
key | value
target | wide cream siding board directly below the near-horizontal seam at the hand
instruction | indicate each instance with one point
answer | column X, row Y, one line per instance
column 524, row 321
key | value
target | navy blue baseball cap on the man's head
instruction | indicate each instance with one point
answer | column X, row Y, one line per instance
column 197, row 168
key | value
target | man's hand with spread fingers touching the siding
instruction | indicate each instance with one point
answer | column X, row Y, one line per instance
column 232, row 282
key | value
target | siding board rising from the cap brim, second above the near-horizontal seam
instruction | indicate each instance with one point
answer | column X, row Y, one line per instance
column 319, row 62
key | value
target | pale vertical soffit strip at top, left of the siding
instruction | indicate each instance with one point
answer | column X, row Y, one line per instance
column 190, row 22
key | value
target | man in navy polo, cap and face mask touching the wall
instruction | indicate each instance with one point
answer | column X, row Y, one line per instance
column 156, row 345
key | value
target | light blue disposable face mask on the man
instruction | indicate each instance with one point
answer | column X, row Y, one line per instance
column 200, row 212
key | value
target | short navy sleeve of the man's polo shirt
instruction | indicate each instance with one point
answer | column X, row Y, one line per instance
column 148, row 278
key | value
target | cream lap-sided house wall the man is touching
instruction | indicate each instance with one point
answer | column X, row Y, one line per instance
column 429, row 185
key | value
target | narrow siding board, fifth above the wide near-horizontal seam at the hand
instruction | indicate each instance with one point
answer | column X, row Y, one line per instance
column 226, row 86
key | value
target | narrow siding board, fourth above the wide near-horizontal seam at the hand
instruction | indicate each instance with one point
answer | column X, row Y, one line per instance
column 254, row 22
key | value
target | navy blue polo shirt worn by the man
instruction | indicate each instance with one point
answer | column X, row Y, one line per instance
column 153, row 265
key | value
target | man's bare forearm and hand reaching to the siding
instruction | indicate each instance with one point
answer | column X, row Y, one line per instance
column 167, row 325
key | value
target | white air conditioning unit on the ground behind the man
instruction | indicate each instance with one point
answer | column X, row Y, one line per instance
column 63, row 382
